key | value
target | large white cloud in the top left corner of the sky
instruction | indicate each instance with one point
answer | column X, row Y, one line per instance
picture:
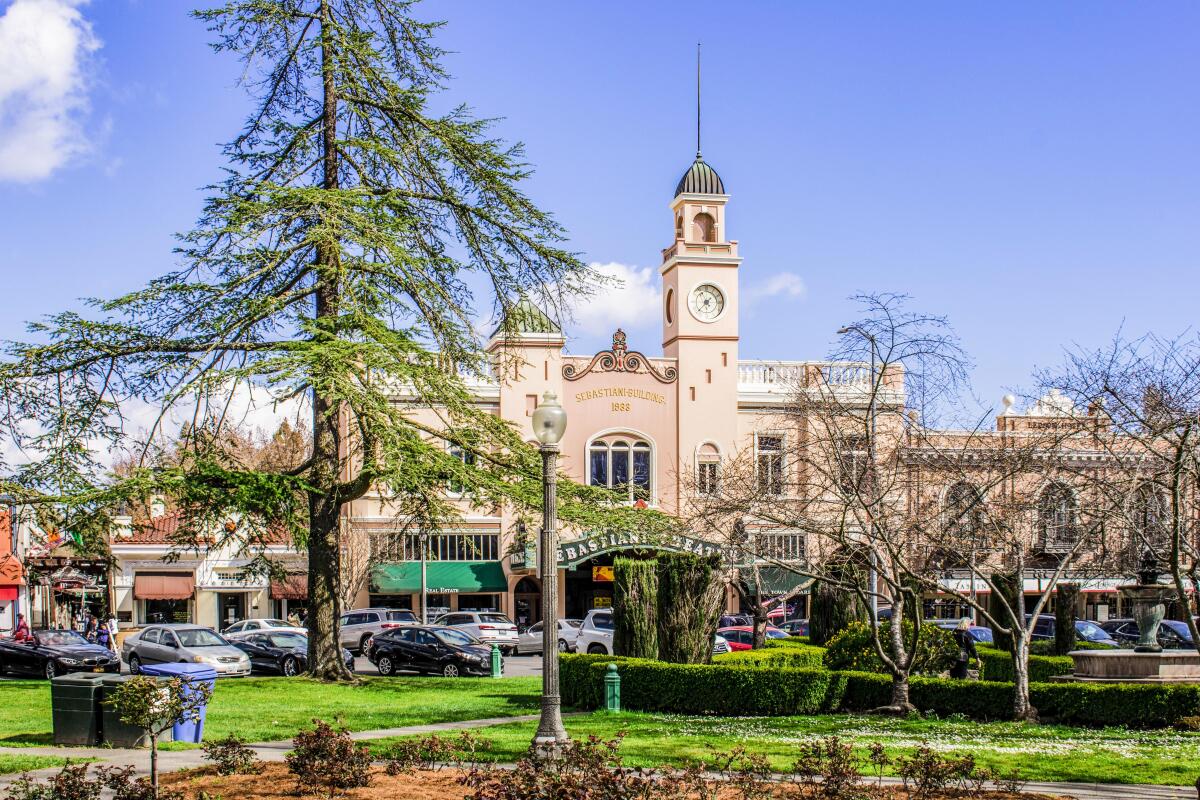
column 46, row 47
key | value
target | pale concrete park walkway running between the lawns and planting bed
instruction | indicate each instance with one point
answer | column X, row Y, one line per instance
column 274, row 751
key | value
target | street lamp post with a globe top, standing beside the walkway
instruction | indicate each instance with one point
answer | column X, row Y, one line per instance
column 549, row 425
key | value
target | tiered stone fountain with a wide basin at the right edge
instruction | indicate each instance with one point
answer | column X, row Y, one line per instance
column 1148, row 663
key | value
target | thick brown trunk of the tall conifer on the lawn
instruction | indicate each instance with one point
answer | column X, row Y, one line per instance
column 325, row 504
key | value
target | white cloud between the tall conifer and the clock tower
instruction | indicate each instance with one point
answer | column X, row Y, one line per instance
column 632, row 300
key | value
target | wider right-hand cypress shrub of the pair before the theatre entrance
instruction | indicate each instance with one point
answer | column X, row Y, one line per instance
column 689, row 607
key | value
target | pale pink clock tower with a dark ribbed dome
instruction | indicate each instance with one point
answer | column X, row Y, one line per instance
column 700, row 318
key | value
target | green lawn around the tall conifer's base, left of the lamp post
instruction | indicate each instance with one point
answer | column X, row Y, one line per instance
column 265, row 709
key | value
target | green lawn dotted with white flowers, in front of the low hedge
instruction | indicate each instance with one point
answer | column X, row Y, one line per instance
column 1035, row 753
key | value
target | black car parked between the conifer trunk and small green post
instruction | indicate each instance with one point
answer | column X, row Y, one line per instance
column 433, row 649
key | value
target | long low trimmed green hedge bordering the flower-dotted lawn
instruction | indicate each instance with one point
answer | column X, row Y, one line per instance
column 733, row 690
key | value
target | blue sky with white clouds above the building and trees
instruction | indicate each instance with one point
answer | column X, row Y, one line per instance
column 1029, row 170
